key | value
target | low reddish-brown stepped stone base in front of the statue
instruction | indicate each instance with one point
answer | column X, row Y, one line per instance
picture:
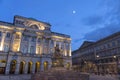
column 60, row 75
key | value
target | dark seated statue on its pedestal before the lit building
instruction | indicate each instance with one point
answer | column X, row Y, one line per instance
column 57, row 59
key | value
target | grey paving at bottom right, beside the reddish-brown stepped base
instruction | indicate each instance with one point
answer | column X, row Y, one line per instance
column 106, row 77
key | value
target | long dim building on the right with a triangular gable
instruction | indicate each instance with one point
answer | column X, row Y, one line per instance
column 100, row 57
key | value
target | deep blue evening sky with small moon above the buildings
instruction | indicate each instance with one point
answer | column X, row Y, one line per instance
column 81, row 19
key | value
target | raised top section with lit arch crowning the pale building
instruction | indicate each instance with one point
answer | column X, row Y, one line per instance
column 30, row 23
